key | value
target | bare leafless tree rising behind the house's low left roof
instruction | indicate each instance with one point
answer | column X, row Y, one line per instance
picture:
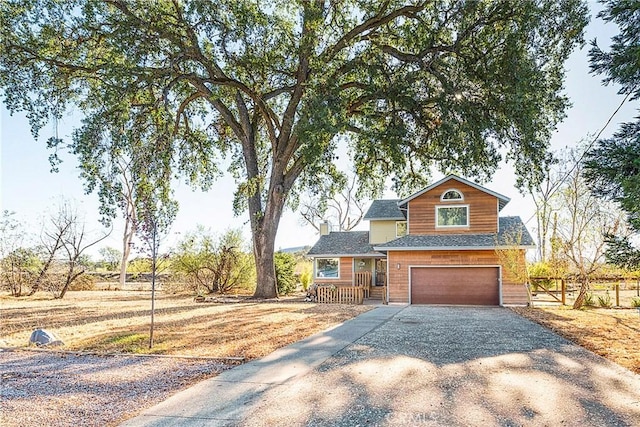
column 345, row 209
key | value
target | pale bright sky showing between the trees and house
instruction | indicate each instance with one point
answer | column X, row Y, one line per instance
column 28, row 188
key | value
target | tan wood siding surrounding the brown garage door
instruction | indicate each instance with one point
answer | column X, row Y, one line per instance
column 398, row 281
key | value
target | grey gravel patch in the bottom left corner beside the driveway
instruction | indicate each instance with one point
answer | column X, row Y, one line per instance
column 55, row 389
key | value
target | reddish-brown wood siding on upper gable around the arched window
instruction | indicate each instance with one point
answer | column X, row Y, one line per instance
column 483, row 210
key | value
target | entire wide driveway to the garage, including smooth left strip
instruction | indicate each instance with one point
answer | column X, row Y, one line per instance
column 416, row 365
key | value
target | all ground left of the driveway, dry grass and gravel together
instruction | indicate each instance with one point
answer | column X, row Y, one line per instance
column 102, row 374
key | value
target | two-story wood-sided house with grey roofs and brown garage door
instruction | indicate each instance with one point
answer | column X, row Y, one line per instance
column 438, row 246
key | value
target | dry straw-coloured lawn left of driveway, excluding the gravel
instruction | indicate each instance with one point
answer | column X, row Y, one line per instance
column 118, row 321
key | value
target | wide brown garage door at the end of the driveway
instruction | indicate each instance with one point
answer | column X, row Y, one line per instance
column 455, row 285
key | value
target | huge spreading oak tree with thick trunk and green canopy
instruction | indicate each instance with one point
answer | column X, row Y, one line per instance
column 274, row 87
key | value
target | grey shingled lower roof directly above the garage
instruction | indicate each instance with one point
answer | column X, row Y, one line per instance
column 508, row 227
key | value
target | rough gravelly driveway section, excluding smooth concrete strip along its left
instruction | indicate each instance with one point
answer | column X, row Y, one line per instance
column 455, row 366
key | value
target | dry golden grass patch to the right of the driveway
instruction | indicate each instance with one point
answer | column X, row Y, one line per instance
column 611, row 333
